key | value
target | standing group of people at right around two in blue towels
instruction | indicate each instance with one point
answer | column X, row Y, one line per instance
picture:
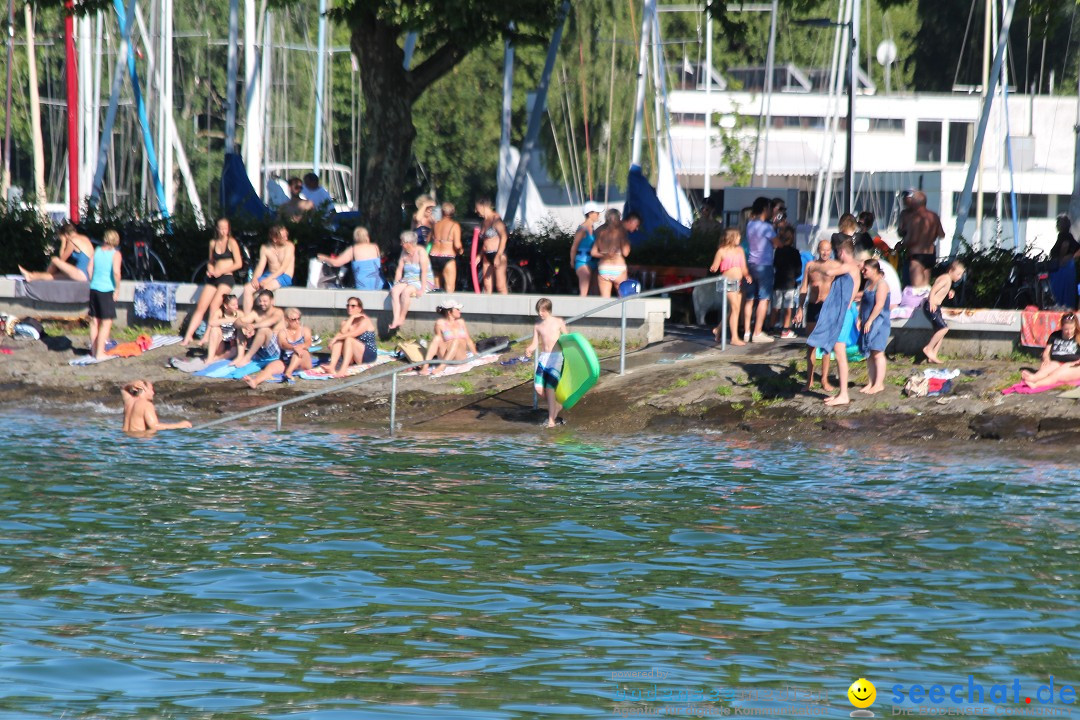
column 848, row 283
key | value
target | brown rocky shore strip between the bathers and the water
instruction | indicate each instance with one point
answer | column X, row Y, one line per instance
column 681, row 386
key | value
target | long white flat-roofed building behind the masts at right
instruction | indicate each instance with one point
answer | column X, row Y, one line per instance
column 902, row 141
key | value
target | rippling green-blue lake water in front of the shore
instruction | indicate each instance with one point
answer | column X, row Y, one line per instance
column 328, row 576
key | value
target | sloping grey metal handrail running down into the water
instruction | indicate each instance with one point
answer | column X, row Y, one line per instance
column 394, row 373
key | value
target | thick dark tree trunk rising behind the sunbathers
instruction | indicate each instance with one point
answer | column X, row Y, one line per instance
column 388, row 119
